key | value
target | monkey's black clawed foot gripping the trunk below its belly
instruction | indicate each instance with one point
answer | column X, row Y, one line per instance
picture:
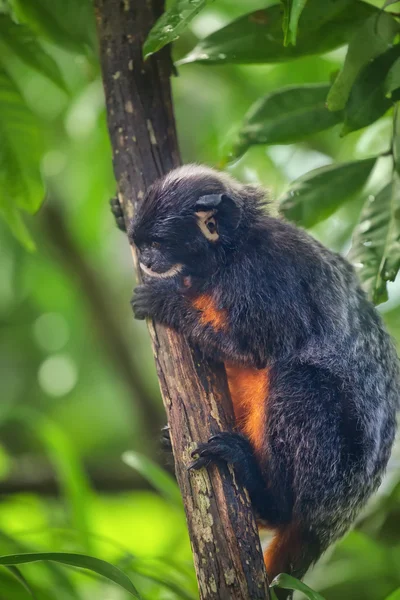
column 223, row 447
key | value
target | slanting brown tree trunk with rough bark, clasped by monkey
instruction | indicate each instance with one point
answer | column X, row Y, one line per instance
column 223, row 533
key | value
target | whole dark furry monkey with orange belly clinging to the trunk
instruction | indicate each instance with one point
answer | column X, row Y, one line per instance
column 312, row 373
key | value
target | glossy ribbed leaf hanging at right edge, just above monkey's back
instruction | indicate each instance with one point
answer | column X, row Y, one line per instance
column 375, row 250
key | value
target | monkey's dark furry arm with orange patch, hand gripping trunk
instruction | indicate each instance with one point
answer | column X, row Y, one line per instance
column 195, row 315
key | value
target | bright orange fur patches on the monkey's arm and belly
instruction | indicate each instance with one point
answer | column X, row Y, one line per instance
column 248, row 386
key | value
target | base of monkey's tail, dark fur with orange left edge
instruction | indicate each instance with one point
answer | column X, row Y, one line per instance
column 293, row 550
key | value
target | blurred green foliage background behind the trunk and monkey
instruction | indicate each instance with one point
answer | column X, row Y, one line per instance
column 78, row 384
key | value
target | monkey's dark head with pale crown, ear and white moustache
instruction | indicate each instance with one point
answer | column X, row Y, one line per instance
column 191, row 220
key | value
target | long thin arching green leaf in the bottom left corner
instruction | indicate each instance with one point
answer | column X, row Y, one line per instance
column 82, row 561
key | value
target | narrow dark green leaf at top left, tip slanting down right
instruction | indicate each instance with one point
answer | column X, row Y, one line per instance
column 20, row 40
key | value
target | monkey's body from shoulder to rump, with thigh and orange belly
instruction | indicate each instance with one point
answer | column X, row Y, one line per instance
column 328, row 369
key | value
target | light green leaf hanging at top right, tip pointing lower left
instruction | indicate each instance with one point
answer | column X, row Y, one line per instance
column 372, row 38
